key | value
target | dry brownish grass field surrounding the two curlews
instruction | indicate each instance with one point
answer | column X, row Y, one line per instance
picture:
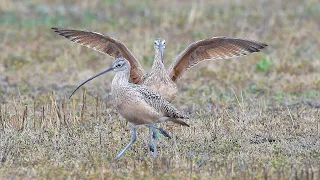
column 255, row 117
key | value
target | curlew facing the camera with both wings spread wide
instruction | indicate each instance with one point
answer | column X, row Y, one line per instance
column 159, row 78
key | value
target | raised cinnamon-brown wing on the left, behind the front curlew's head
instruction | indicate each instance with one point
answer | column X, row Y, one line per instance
column 107, row 45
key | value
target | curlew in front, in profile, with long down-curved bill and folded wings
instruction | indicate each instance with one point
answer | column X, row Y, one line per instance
column 139, row 104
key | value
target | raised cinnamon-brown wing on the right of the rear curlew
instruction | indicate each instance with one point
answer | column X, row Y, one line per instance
column 211, row 49
